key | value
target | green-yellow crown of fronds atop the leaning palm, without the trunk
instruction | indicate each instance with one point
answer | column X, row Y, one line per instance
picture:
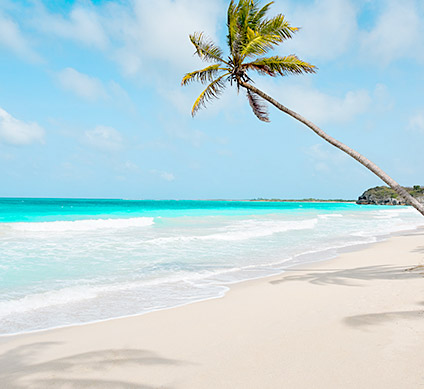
column 250, row 35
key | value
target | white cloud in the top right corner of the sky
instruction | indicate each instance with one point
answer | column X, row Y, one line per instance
column 398, row 33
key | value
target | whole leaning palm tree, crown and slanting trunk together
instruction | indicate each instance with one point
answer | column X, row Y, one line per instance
column 250, row 36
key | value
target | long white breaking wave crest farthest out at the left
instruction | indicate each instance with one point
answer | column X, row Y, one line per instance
column 83, row 225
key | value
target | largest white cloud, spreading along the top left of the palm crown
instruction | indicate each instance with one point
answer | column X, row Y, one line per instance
column 135, row 34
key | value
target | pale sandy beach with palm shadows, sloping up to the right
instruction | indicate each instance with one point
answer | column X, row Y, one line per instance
column 356, row 321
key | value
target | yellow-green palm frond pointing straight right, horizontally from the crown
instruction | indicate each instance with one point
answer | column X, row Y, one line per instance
column 282, row 66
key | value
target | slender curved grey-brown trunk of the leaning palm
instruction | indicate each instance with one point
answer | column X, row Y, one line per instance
column 354, row 154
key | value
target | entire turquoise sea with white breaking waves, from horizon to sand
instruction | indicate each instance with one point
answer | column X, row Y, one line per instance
column 67, row 261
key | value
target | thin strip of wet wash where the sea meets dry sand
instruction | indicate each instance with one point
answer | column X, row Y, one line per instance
column 317, row 257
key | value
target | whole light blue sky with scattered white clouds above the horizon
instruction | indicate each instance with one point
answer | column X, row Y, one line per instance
column 91, row 104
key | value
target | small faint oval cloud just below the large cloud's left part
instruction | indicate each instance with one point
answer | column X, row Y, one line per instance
column 89, row 88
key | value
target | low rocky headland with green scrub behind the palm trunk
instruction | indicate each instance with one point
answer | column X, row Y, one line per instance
column 383, row 195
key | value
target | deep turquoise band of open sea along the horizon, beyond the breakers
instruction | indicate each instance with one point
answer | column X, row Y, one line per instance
column 43, row 210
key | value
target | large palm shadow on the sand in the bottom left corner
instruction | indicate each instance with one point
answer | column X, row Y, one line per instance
column 19, row 372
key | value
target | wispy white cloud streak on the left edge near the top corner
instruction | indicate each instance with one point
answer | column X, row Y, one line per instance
column 12, row 38
